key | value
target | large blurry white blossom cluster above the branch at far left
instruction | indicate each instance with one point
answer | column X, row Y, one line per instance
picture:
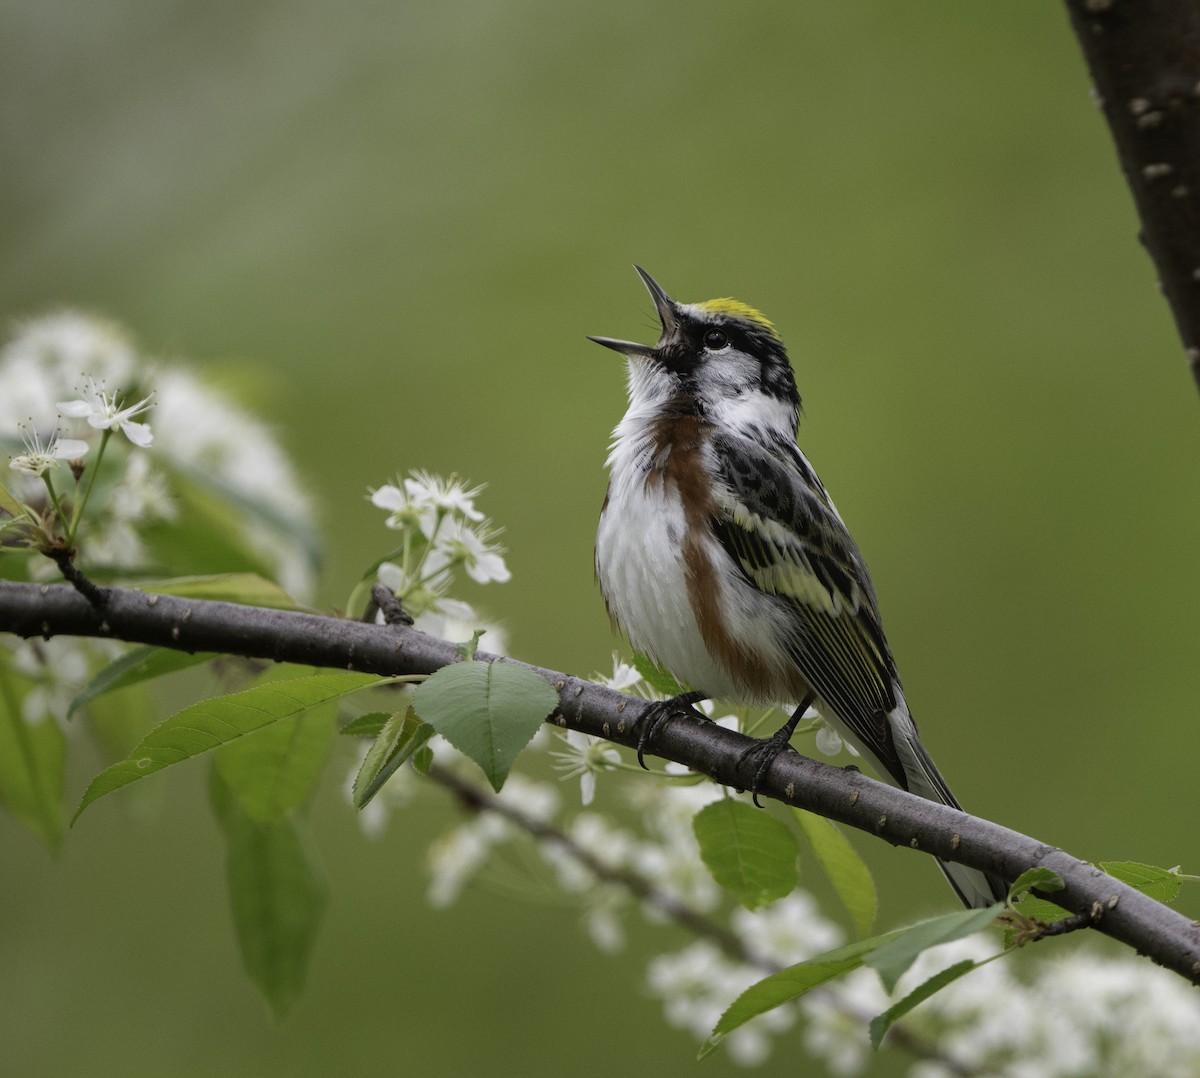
column 56, row 379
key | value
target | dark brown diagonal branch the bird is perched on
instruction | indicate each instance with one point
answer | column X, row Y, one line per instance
column 847, row 796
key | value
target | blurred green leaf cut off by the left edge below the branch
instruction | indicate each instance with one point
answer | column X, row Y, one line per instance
column 33, row 764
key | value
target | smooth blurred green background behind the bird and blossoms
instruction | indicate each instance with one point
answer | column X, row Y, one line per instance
column 394, row 224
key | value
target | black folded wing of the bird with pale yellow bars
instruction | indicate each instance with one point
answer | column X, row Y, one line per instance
column 777, row 523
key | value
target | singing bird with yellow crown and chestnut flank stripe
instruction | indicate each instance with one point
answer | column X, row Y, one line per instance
column 723, row 559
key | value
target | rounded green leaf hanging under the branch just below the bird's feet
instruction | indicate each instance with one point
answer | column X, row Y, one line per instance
column 749, row 853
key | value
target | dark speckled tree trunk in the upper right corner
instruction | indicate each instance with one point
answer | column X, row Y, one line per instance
column 1145, row 63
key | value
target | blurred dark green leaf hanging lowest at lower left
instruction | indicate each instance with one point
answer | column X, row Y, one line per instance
column 278, row 895
